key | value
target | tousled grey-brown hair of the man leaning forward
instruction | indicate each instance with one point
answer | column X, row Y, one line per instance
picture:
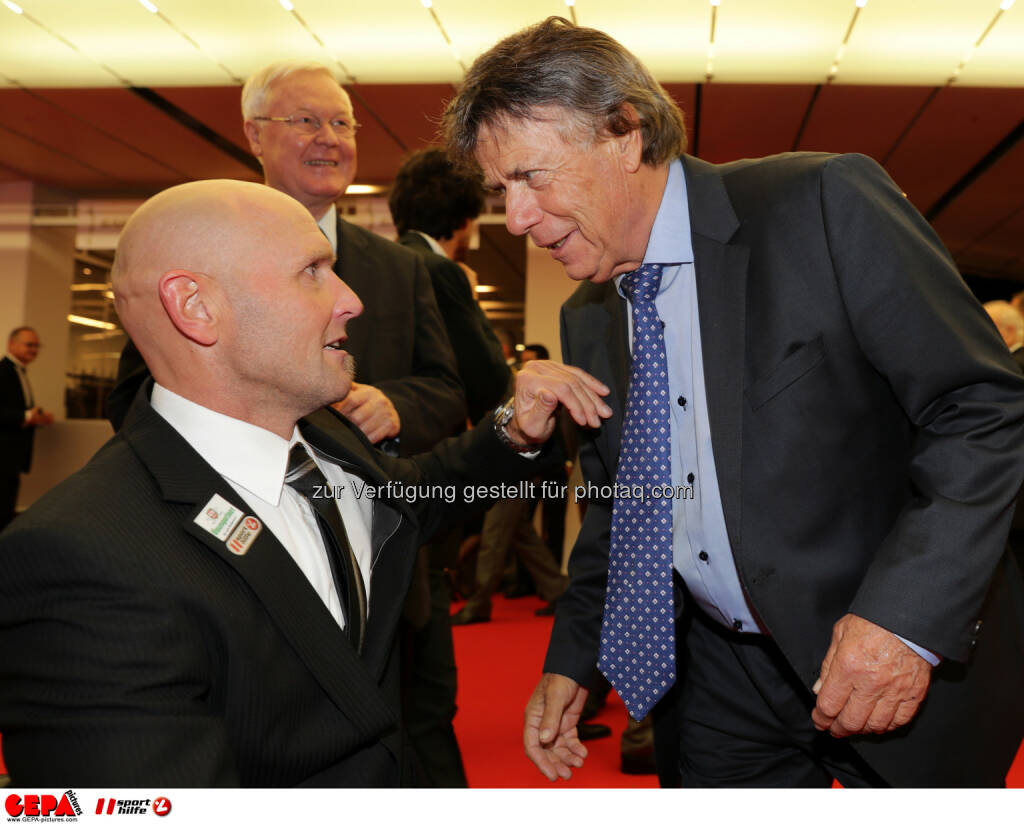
column 581, row 70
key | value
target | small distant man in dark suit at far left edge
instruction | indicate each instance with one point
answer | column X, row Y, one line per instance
column 20, row 417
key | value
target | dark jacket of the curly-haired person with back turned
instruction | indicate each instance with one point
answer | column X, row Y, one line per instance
column 479, row 354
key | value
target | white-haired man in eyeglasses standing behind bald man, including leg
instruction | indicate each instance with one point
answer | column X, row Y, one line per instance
column 407, row 396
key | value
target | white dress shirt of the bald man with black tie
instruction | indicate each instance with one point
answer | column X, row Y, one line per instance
column 254, row 461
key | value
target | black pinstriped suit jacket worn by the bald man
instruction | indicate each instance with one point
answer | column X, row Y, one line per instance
column 137, row 650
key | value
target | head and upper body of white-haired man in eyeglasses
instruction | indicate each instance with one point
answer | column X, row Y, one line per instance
column 302, row 128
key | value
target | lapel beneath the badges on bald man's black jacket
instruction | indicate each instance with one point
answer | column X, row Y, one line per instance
column 267, row 568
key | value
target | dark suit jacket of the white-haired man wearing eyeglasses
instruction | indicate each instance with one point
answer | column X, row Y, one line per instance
column 399, row 342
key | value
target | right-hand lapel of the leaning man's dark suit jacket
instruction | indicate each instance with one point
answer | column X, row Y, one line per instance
column 721, row 277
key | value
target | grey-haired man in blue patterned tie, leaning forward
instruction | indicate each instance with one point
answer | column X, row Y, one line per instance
column 795, row 551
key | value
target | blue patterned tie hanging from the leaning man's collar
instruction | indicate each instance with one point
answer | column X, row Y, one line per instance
column 638, row 643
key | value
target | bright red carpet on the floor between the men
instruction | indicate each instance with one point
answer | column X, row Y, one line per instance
column 499, row 666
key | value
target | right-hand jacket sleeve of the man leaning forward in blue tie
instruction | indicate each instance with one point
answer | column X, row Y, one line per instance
column 918, row 325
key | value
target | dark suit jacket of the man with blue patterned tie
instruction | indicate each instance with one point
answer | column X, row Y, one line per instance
column 867, row 424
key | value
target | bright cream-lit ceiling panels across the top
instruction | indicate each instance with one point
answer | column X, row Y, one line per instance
column 61, row 44
